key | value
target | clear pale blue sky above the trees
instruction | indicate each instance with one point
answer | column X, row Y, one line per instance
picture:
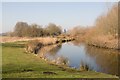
column 65, row 14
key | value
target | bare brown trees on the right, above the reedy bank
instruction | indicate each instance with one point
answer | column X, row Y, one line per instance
column 105, row 24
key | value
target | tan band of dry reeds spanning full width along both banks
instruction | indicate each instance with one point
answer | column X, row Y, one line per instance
column 99, row 42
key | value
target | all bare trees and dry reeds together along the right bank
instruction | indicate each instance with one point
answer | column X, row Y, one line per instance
column 104, row 33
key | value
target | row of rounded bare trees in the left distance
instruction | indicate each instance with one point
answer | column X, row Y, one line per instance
column 23, row 29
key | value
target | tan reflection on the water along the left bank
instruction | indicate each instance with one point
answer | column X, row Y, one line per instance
column 50, row 53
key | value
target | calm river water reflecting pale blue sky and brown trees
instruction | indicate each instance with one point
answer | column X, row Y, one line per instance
column 79, row 54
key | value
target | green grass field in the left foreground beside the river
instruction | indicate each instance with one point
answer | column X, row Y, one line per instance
column 18, row 64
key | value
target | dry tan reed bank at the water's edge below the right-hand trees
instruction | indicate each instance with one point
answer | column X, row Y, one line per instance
column 105, row 41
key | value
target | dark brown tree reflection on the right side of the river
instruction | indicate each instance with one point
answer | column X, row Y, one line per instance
column 107, row 59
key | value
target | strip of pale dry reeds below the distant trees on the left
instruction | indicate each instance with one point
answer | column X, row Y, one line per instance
column 43, row 40
